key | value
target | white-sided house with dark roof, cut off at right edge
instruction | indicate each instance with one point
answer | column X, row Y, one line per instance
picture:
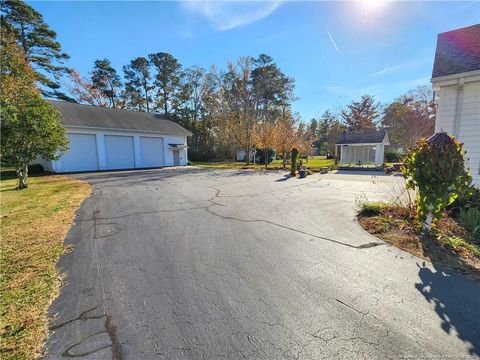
column 456, row 82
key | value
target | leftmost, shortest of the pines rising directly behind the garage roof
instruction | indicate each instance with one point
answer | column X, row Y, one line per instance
column 106, row 80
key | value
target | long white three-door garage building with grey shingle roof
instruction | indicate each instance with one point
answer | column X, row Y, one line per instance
column 104, row 138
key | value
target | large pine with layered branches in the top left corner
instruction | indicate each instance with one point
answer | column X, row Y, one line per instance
column 39, row 44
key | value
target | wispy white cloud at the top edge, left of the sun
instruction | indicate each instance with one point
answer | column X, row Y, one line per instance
column 226, row 15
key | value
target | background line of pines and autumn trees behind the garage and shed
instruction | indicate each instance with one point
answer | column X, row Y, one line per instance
column 246, row 105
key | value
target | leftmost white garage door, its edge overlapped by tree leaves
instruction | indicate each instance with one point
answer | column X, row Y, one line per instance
column 82, row 155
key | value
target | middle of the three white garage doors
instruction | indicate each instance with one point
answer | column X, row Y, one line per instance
column 119, row 152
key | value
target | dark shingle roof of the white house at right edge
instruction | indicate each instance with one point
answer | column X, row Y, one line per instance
column 458, row 51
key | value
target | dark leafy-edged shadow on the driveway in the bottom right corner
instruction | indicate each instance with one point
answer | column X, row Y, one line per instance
column 457, row 302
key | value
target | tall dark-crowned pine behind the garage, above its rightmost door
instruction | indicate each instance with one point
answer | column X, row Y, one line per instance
column 168, row 75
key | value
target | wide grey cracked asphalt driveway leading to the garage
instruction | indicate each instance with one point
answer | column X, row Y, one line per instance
column 216, row 264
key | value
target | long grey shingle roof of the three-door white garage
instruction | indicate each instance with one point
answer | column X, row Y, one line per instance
column 74, row 114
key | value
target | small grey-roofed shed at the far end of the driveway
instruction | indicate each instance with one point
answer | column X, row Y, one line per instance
column 367, row 147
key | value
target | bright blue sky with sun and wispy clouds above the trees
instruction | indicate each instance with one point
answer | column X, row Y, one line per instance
column 336, row 51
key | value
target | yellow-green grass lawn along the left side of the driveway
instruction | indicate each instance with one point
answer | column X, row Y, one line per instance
column 34, row 222
